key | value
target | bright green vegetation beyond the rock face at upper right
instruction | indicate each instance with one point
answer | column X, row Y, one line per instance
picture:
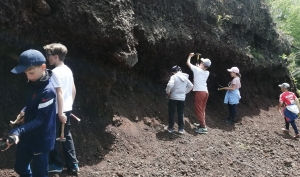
column 287, row 17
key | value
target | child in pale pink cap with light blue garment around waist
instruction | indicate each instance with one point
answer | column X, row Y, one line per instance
column 233, row 96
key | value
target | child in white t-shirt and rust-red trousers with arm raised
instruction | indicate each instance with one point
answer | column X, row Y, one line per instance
column 200, row 88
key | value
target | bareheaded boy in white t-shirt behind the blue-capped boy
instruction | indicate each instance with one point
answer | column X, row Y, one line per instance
column 62, row 79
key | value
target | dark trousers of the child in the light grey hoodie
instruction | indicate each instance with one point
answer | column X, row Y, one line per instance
column 173, row 104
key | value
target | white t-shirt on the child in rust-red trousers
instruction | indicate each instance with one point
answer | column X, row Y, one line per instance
column 200, row 78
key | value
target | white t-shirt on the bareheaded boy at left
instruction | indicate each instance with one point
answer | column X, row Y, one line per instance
column 62, row 76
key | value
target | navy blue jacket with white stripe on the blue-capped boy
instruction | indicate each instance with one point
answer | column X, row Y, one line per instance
column 38, row 130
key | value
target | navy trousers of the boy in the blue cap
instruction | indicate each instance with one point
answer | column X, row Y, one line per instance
column 29, row 163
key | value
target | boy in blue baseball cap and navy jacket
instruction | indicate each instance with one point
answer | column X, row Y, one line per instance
column 37, row 134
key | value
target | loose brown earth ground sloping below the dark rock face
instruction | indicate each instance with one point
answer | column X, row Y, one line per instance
column 136, row 143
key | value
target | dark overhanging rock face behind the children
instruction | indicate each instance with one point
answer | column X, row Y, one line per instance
column 118, row 42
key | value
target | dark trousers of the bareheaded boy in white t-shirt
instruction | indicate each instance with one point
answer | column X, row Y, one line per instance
column 68, row 146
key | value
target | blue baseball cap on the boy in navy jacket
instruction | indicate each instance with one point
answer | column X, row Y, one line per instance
column 29, row 58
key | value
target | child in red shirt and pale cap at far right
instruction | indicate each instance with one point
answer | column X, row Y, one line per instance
column 290, row 110
